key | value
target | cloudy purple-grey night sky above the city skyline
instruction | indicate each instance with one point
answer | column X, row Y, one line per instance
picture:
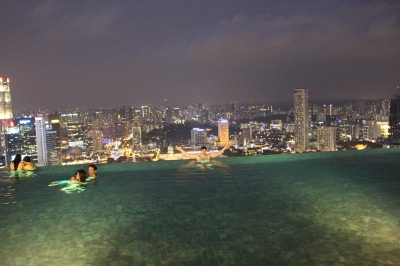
column 61, row 54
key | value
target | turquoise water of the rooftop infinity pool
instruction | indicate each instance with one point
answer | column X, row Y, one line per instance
column 339, row 208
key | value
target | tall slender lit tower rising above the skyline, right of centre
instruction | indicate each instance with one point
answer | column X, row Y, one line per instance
column 301, row 119
